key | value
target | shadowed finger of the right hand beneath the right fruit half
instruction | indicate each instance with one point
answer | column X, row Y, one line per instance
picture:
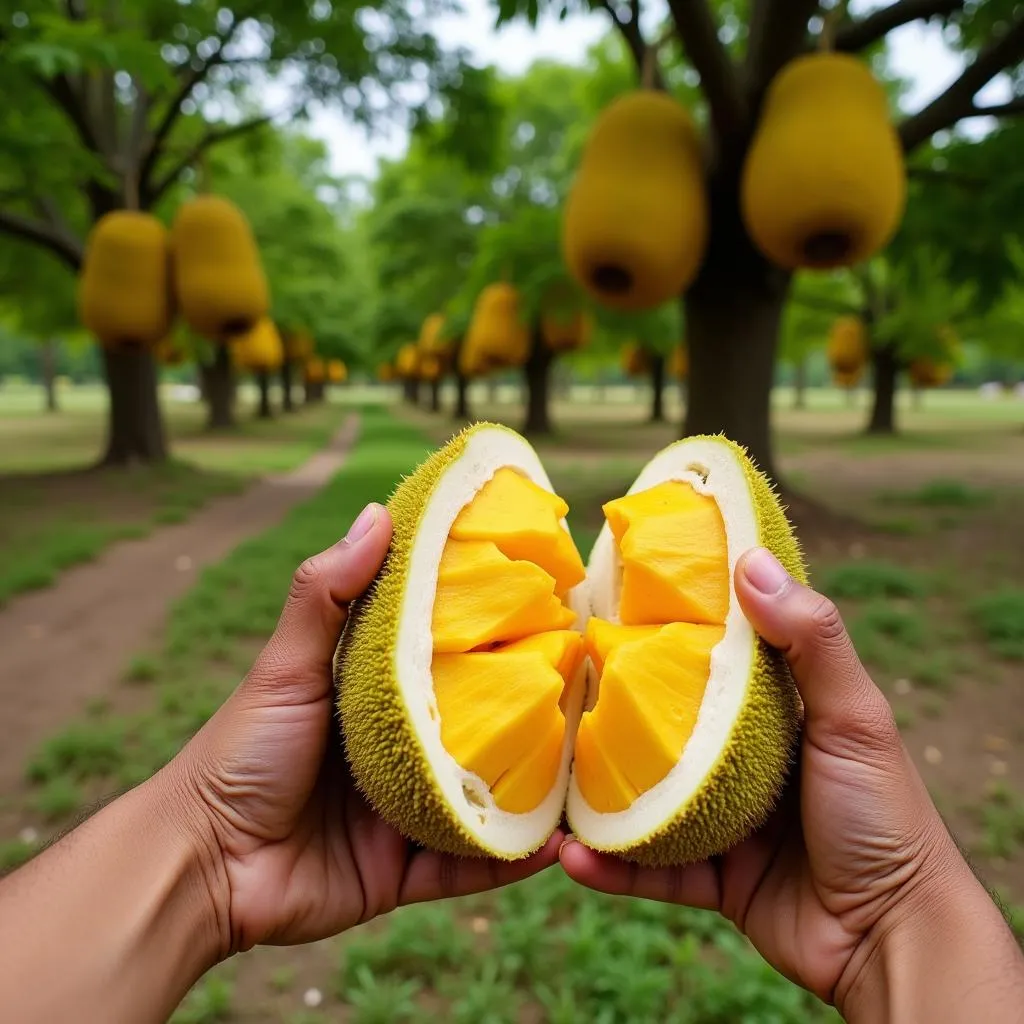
column 693, row 885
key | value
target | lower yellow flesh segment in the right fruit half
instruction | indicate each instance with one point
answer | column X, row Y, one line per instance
column 651, row 695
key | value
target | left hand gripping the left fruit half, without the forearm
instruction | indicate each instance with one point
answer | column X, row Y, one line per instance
column 293, row 852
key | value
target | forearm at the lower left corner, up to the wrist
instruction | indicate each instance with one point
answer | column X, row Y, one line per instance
column 115, row 922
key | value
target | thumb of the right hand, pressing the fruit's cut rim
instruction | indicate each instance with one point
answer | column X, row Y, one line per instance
column 846, row 713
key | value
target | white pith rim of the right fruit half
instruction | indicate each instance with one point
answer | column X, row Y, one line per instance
column 711, row 470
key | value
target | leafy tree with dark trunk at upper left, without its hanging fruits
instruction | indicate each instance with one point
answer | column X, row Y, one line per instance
column 117, row 104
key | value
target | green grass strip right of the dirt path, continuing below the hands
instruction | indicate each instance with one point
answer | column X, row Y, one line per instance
column 550, row 949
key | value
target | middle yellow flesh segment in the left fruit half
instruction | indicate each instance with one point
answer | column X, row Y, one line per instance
column 484, row 596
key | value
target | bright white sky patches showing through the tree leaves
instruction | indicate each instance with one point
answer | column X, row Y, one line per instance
column 917, row 53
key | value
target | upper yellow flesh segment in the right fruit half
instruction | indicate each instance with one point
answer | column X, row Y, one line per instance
column 675, row 557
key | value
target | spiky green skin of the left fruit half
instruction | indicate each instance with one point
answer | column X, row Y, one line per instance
column 387, row 758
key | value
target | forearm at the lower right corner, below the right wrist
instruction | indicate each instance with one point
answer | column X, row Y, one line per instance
column 951, row 959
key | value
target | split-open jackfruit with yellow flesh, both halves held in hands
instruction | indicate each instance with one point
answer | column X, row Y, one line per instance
column 487, row 684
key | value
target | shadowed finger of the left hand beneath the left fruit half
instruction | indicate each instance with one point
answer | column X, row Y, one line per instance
column 437, row 876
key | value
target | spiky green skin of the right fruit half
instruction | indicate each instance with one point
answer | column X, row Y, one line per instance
column 747, row 781
